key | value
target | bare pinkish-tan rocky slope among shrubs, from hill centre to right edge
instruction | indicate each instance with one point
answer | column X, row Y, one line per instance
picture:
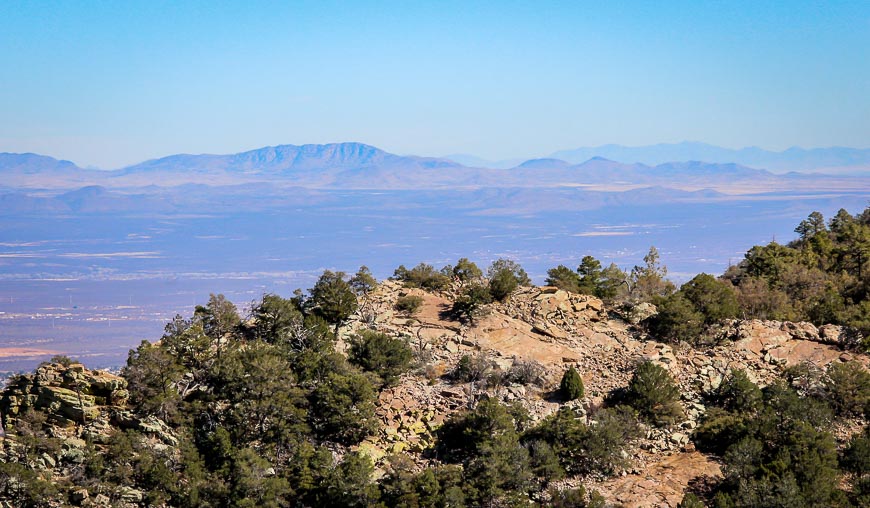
column 555, row 330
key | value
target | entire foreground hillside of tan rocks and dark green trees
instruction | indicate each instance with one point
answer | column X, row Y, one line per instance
column 454, row 388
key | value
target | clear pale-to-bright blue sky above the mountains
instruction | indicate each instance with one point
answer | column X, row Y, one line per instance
column 109, row 84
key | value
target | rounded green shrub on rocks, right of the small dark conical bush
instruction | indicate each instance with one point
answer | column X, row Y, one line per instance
column 653, row 392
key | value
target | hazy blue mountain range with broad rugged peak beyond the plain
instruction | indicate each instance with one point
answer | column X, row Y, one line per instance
column 360, row 166
